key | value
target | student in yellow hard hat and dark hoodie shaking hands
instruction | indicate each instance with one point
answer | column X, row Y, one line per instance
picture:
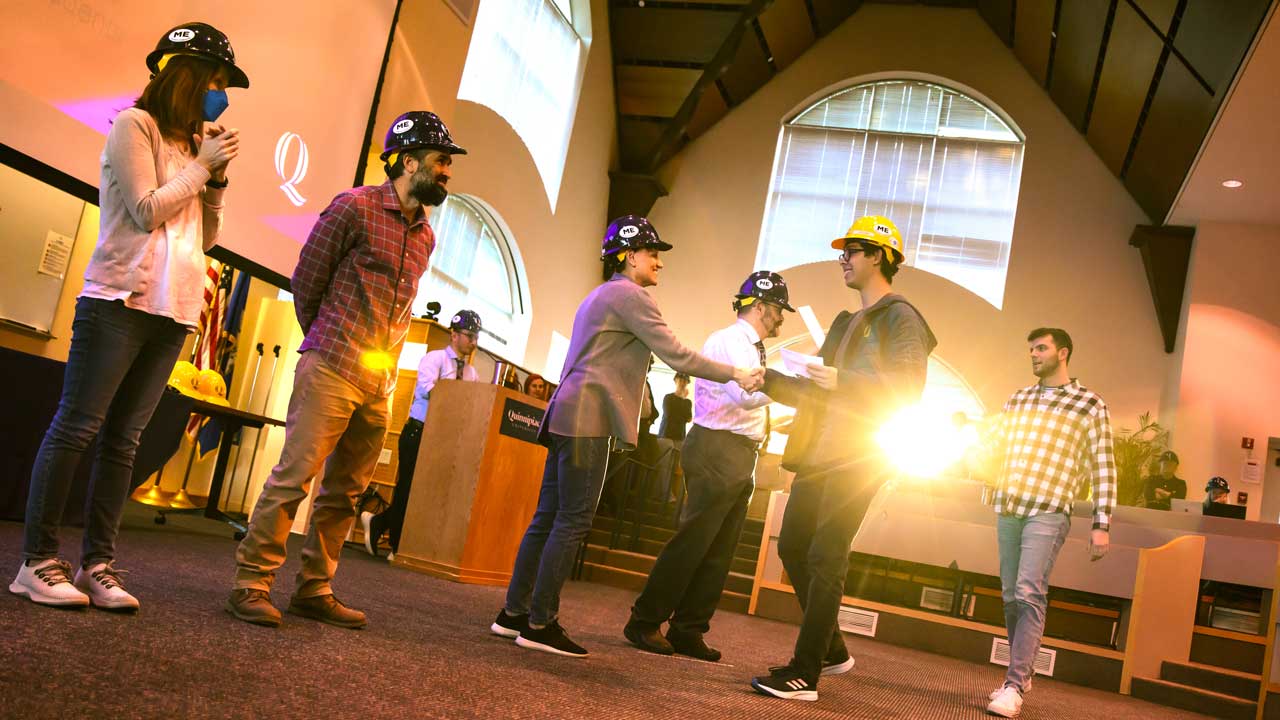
column 875, row 363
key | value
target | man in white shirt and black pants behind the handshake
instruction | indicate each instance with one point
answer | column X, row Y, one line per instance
column 730, row 427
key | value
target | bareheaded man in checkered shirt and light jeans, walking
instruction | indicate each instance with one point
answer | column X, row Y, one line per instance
column 1055, row 438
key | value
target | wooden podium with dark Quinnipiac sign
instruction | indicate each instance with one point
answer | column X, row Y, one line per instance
column 476, row 485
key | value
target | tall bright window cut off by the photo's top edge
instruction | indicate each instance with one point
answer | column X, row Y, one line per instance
column 525, row 63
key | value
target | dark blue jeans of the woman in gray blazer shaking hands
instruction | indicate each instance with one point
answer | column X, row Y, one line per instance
column 566, row 507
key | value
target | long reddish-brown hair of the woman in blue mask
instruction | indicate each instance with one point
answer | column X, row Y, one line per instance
column 176, row 98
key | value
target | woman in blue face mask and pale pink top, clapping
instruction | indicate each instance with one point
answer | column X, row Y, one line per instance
column 164, row 174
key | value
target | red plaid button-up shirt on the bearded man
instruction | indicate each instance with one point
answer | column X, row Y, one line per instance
column 355, row 281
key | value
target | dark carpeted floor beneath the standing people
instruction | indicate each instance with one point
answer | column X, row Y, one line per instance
column 428, row 654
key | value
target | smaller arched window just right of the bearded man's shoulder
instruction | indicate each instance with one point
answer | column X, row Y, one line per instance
column 477, row 266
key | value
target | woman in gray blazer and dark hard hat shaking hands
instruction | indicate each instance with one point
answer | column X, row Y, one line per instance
column 597, row 405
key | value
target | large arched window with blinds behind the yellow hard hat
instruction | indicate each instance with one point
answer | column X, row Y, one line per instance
column 943, row 166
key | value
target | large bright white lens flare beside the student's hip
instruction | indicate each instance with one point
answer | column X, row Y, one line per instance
column 922, row 441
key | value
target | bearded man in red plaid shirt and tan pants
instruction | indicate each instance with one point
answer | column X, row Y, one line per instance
column 353, row 291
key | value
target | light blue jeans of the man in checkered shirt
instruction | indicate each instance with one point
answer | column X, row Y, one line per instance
column 1028, row 548
